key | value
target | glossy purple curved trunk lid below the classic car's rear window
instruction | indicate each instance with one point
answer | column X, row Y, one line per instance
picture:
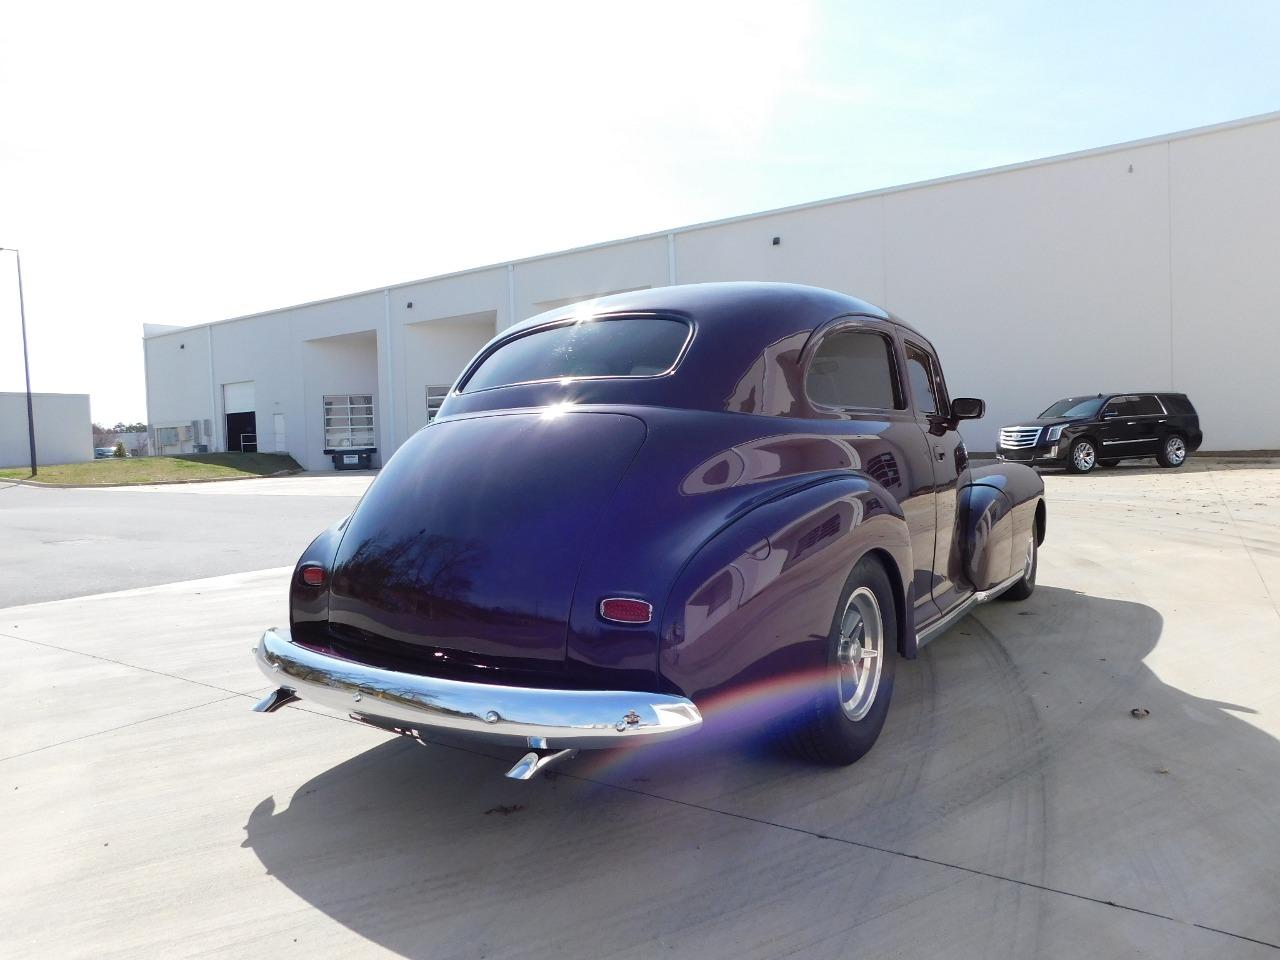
column 467, row 550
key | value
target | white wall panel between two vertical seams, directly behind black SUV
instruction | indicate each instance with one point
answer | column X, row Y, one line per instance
column 1037, row 284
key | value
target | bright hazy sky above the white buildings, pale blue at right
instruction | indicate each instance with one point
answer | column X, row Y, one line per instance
column 182, row 163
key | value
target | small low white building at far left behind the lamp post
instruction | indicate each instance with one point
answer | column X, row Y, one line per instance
column 65, row 433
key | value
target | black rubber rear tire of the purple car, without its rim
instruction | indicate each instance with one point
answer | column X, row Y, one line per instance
column 825, row 732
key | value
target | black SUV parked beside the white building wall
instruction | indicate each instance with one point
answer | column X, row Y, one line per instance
column 1082, row 433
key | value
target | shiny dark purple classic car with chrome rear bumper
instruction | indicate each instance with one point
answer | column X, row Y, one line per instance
column 648, row 510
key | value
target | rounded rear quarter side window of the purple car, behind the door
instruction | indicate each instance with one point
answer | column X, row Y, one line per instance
column 854, row 369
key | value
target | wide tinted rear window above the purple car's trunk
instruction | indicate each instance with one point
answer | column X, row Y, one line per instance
column 627, row 346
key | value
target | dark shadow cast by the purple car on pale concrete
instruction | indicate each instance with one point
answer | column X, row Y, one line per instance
column 1011, row 753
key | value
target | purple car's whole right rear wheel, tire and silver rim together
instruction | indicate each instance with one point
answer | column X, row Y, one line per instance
column 848, row 711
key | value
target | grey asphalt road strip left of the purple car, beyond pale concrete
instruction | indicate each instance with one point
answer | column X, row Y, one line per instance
column 61, row 543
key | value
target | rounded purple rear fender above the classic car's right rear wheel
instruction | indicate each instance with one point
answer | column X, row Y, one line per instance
column 757, row 601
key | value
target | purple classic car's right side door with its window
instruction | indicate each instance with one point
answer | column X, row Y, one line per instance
column 949, row 461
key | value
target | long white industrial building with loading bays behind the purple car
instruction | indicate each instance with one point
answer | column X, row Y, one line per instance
column 1153, row 266
